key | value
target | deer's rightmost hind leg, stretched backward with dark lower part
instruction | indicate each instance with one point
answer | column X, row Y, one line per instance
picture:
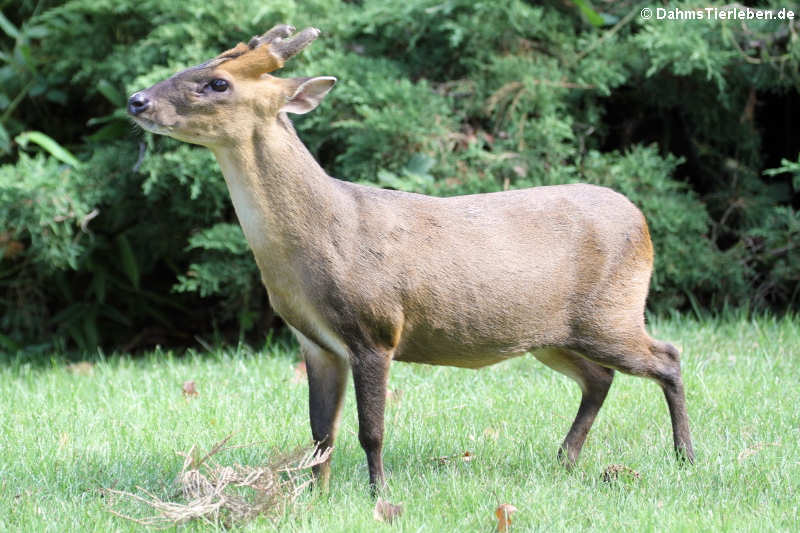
column 640, row 355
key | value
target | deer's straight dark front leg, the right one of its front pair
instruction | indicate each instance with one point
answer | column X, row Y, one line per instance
column 370, row 375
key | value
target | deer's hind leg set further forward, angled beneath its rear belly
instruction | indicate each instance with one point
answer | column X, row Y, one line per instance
column 594, row 381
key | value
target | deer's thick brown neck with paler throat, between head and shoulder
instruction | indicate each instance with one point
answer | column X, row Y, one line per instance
column 283, row 199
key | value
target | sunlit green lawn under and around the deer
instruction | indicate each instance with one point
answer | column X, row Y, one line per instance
column 64, row 436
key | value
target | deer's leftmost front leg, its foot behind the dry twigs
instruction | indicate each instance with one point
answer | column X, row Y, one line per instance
column 327, row 381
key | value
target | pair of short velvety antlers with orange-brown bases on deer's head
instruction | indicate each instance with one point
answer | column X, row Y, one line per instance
column 267, row 52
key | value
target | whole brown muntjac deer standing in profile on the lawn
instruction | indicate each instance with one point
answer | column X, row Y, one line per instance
column 365, row 276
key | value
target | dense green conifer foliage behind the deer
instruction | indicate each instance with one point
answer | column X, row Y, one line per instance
column 111, row 237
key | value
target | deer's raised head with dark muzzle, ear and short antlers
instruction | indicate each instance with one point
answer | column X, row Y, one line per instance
column 220, row 102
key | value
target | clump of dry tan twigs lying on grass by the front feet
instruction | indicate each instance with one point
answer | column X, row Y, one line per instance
column 226, row 495
